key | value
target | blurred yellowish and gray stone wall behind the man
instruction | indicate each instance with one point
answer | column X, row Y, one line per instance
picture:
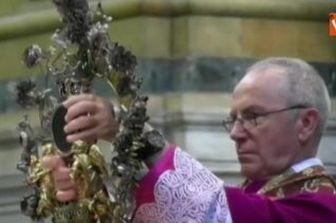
column 190, row 54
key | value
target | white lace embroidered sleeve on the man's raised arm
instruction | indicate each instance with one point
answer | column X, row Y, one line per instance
column 188, row 194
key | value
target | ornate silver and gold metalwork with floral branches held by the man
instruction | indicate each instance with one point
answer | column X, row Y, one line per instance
column 82, row 51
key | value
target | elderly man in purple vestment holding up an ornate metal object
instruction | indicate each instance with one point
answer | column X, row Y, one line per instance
column 279, row 112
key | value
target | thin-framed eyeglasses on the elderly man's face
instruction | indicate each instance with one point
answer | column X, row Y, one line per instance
column 250, row 120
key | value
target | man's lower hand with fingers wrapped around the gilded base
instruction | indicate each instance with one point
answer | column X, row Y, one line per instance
column 66, row 189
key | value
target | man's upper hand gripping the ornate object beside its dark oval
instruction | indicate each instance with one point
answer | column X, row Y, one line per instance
column 89, row 118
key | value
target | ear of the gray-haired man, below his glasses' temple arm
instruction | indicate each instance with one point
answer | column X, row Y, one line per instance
column 309, row 120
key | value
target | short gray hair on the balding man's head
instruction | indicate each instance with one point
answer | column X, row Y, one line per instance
column 304, row 85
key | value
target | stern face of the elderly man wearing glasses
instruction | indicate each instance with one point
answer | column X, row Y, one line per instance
column 270, row 146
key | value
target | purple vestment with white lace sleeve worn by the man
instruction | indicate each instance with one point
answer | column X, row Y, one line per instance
column 178, row 189
